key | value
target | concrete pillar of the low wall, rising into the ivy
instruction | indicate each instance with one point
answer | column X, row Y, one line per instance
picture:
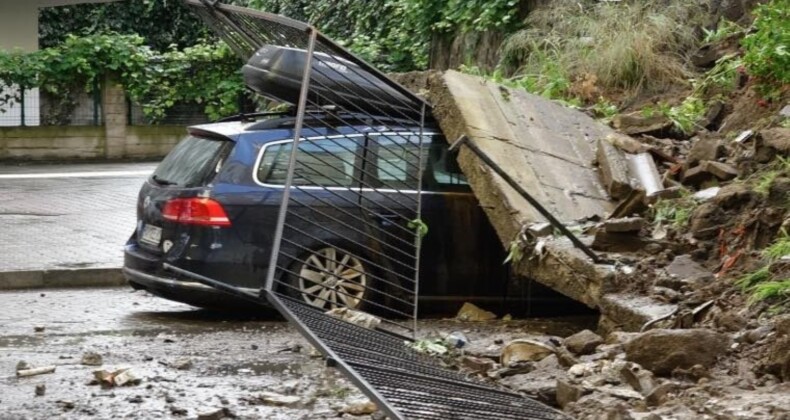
column 114, row 115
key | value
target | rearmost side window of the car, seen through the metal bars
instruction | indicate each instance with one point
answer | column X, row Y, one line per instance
column 320, row 162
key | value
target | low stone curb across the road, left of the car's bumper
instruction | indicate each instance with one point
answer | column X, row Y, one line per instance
column 84, row 277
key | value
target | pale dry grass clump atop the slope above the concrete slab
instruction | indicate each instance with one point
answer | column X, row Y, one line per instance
column 629, row 46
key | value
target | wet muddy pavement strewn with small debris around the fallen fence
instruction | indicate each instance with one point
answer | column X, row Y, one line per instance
column 189, row 362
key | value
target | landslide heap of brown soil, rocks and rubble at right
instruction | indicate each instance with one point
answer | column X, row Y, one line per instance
column 695, row 311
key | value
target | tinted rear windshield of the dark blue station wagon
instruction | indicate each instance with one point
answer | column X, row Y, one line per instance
column 193, row 162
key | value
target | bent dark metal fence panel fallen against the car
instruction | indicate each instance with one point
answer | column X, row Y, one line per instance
column 349, row 231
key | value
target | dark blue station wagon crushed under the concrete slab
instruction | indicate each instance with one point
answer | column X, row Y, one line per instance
column 211, row 208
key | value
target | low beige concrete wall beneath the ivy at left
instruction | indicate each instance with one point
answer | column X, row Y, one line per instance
column 89, row 143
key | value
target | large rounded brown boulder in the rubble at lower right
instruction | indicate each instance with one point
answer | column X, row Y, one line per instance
column 678, row 349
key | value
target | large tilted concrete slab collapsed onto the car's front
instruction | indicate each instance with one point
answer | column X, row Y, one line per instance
column 554, row 153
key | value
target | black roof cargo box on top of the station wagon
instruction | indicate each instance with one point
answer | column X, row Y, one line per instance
column 276, row 73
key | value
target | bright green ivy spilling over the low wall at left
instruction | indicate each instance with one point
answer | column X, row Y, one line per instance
column 204, row 73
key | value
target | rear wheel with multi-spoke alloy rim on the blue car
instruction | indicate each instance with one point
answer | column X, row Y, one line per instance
column 329, row 278
